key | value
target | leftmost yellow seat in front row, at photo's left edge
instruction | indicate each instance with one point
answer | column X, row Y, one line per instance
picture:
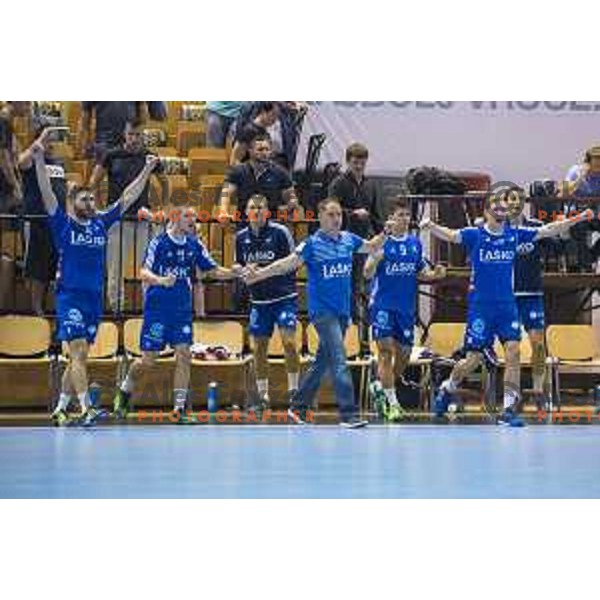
column 27, row 373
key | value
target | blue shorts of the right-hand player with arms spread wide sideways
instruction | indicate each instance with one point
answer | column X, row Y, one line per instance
column 485, row 323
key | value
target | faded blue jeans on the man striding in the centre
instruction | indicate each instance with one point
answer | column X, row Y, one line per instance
column 331, row 356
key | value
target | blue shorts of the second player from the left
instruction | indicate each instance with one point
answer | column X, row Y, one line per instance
column 160, row 329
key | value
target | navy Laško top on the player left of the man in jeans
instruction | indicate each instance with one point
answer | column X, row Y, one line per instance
column 272, row 242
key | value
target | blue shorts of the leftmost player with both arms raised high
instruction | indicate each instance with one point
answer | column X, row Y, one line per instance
column 78, row 315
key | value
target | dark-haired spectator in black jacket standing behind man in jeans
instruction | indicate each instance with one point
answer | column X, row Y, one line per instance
column 360, row 202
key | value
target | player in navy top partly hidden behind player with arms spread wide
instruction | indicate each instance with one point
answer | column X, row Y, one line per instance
column 529, row 293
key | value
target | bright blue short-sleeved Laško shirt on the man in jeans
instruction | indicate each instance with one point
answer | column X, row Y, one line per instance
column 328, row 262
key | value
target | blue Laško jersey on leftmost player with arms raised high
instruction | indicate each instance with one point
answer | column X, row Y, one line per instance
column 81, row 249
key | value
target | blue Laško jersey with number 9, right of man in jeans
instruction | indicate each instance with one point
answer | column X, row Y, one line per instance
column 395, row 281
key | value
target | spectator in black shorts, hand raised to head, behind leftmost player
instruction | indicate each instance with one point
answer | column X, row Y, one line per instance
column 40, row 253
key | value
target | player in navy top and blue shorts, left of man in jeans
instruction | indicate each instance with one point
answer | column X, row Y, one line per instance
column 274, row 301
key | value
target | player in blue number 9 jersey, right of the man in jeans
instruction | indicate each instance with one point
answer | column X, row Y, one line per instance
column 395, row 272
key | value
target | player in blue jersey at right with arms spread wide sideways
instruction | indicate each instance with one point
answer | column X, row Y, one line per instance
column 493, row 313
